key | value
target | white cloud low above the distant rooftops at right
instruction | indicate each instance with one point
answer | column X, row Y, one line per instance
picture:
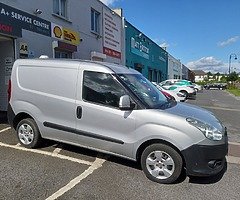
column 208, row 64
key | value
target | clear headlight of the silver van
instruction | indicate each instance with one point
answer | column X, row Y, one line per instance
column 209, row 131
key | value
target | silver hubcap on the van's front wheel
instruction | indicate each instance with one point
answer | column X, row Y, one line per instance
column 160, row 164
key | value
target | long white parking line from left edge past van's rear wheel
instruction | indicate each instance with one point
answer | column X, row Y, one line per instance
column 47, row 153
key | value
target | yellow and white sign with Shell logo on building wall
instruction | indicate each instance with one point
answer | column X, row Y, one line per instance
column 65, row 34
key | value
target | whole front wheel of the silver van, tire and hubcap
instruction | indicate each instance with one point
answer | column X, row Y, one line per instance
column 169, row 154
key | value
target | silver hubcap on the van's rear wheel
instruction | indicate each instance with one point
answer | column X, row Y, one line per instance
column 25, row 134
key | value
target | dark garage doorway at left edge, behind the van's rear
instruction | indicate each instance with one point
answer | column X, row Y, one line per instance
column 6, row 62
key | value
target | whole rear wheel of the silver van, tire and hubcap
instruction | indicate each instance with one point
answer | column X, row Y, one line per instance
column 31, row 138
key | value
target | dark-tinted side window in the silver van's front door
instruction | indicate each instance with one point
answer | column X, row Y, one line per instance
column 101, row 88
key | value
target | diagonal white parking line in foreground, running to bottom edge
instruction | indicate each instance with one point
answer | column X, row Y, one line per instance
column 96, row 164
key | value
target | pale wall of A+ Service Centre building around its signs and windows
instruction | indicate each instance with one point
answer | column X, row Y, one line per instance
column 79, row 19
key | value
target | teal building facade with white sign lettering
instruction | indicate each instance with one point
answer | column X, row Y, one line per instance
column 144, row 55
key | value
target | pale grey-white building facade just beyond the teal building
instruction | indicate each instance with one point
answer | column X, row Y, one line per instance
column 174, row 68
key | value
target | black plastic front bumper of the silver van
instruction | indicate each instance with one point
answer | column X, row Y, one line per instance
column 205, row 160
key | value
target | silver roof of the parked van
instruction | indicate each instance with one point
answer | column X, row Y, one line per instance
column 75, row 62
